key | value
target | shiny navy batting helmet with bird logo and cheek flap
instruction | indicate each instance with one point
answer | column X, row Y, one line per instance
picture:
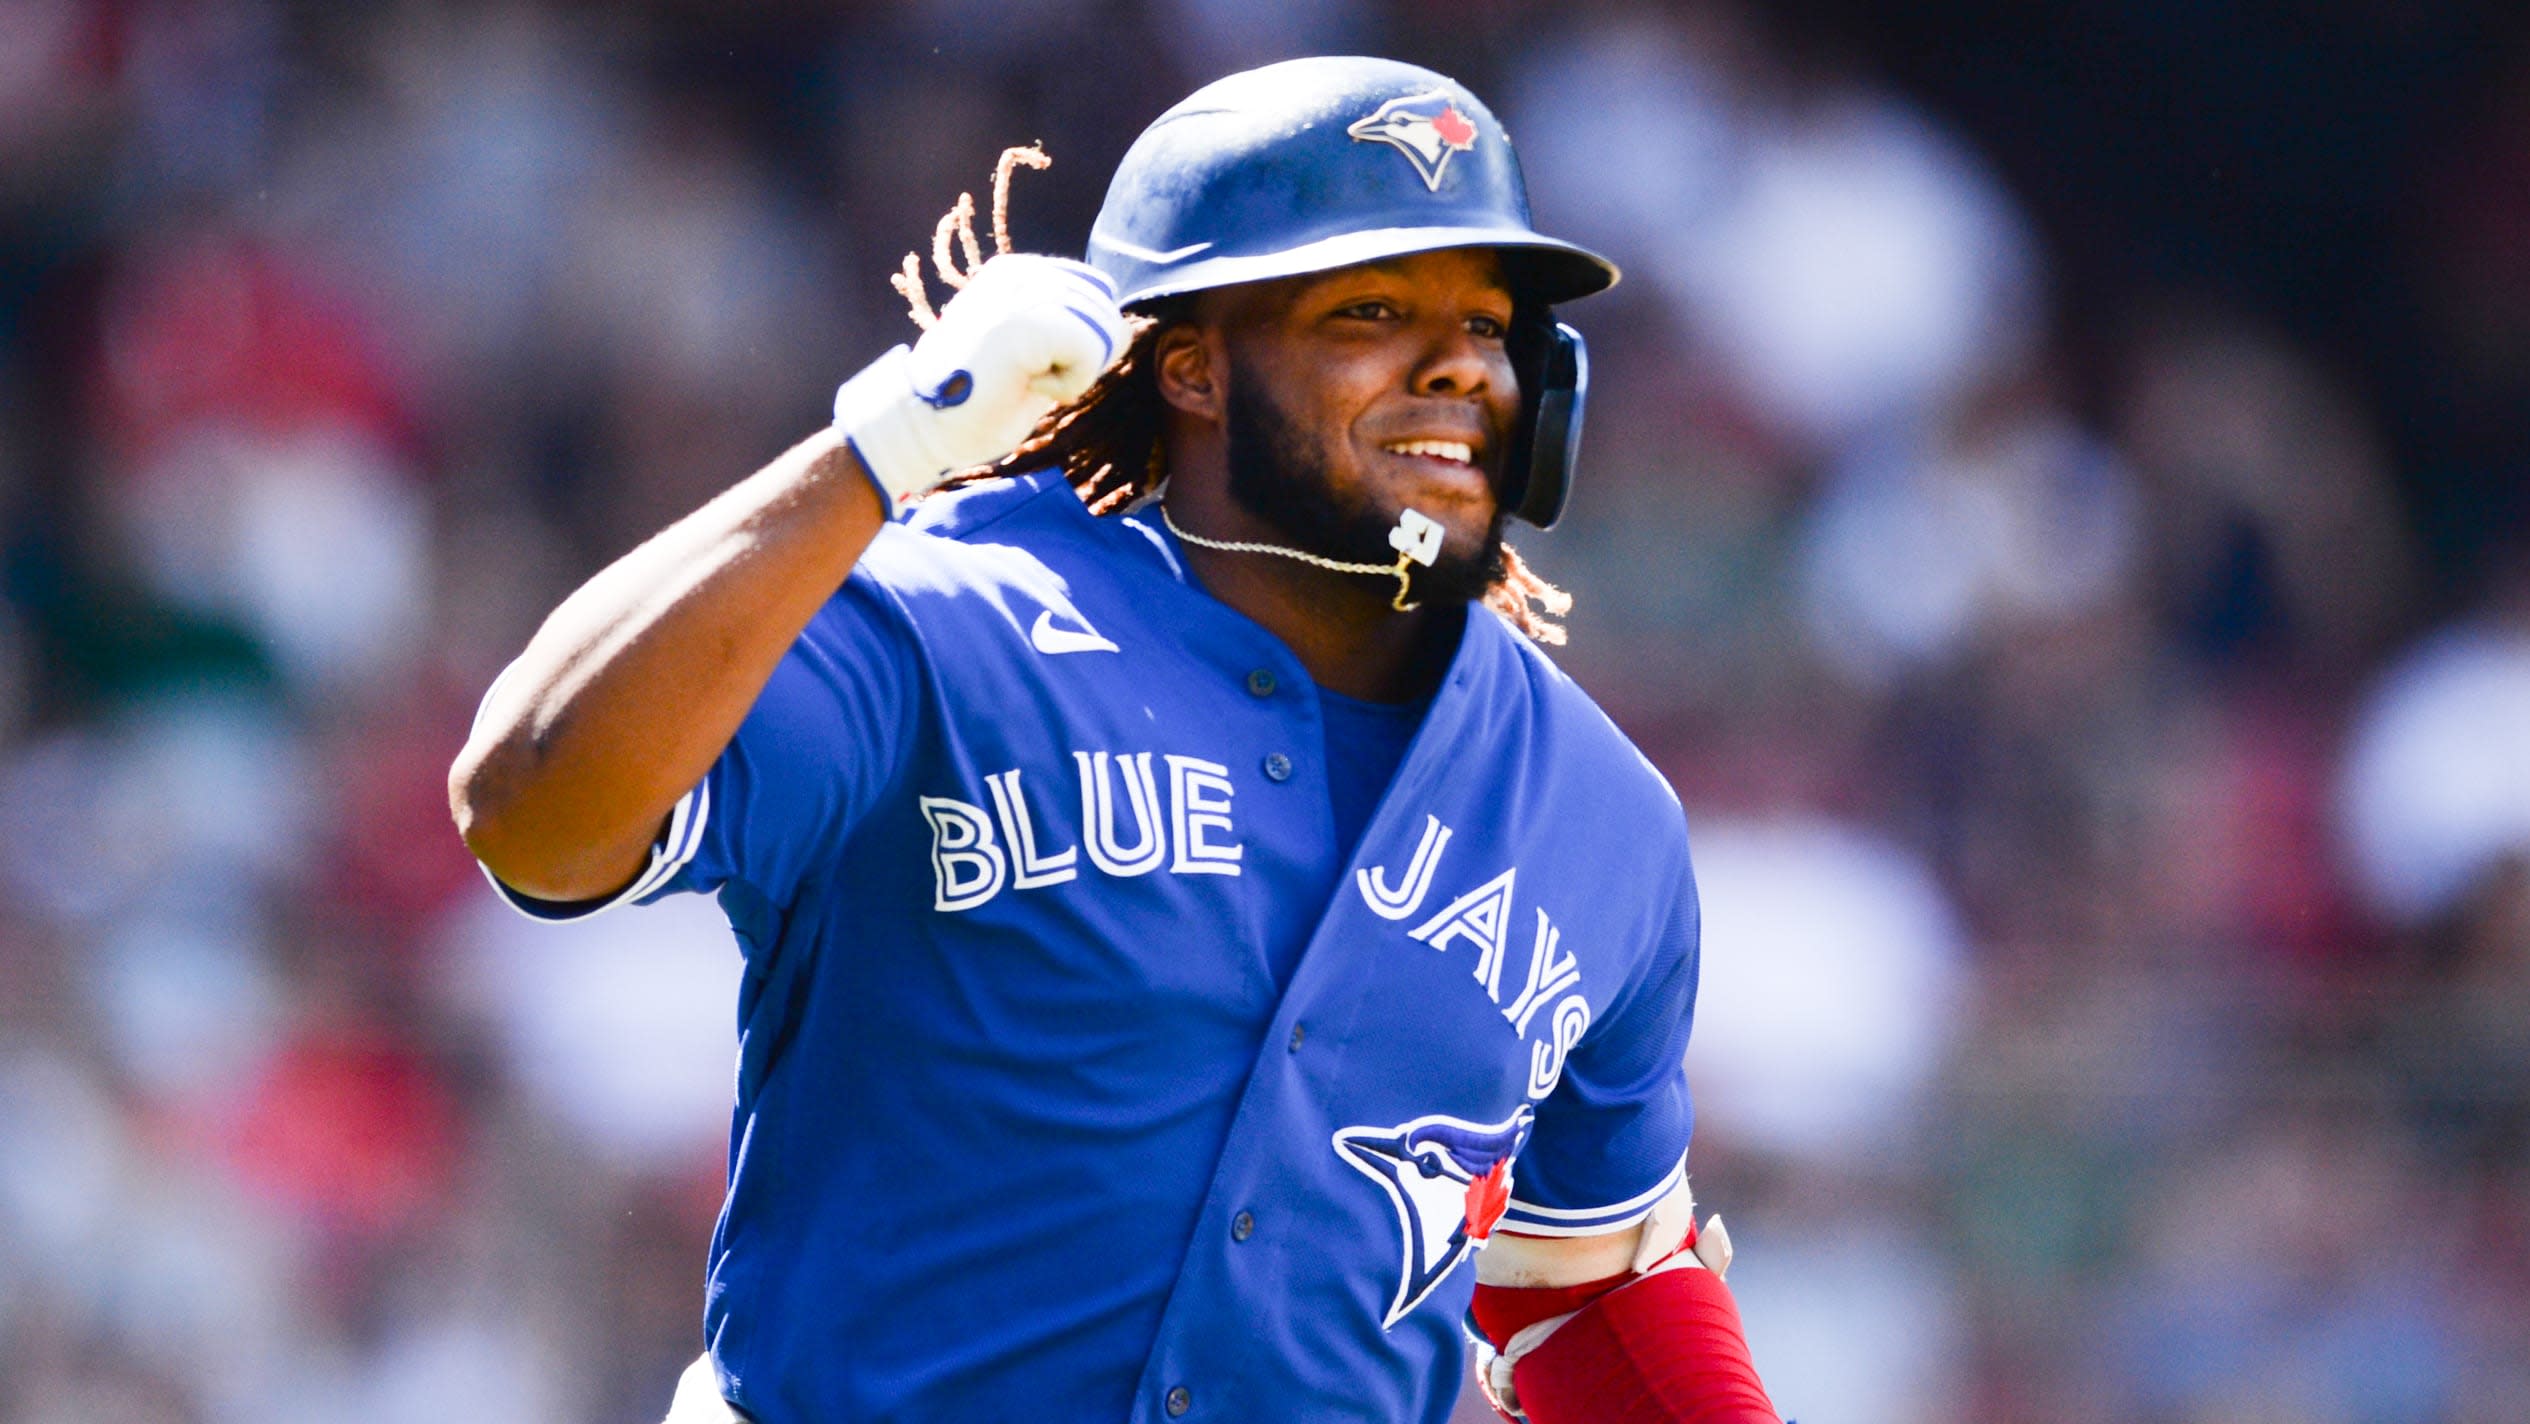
column 1324, row 163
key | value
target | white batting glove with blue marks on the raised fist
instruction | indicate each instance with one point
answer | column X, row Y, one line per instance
column 1023, row 338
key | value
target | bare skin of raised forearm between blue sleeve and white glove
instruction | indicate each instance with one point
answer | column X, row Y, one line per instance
column 636, row 684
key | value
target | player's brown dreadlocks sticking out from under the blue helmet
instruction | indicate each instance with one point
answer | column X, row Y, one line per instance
column 1109, row 439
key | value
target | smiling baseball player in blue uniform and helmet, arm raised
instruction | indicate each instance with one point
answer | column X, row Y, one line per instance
column 1185, row 917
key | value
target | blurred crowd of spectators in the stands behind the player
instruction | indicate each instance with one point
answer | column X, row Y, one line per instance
column 2056, row 502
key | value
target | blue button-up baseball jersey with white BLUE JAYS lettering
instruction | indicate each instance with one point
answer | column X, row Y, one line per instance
column 1082, row 1076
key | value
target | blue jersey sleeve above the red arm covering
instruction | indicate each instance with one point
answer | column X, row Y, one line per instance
column 1613, row 1137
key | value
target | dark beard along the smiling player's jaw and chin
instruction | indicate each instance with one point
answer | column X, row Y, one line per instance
column 1281, row 479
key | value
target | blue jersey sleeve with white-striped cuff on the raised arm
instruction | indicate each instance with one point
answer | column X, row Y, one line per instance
column 818, row 747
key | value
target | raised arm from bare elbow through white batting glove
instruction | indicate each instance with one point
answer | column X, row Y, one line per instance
column 636, row 684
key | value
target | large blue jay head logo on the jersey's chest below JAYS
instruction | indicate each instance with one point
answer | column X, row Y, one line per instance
column 1448, row 1180
